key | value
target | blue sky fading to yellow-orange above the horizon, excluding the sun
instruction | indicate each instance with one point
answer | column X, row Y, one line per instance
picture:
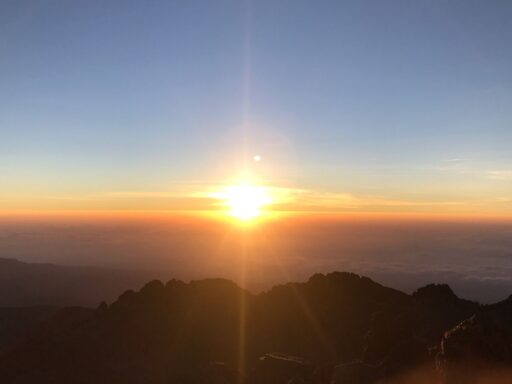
column 353, row 106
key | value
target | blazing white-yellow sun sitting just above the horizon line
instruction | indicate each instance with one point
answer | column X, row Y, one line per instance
column 245, row 201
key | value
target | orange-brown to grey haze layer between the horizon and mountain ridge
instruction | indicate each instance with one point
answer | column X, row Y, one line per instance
column 474, row 258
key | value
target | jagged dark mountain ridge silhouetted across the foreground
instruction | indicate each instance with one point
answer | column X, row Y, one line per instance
column 332, row 329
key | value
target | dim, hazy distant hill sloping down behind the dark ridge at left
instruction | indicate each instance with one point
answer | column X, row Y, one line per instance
column 28, row 284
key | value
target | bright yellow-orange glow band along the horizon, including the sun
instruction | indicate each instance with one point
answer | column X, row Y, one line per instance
column 249, row 200
